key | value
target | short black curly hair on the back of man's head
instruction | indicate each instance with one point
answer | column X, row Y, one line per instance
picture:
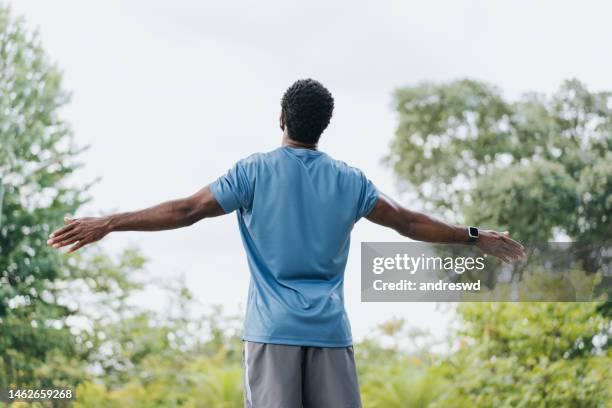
column 307, row 106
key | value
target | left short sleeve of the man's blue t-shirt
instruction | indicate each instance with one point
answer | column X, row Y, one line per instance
column 234, row 189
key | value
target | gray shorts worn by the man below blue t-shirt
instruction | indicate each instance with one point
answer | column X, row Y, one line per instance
column 281, row 376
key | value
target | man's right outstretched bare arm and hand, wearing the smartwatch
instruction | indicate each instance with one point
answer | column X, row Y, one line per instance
column 422, row 227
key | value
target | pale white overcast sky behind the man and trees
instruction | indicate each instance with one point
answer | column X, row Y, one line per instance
column 170, row 94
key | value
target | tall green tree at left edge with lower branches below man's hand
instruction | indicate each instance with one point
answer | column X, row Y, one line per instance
column 41, row 291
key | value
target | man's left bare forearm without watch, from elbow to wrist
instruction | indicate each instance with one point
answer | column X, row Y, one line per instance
column 169, row 215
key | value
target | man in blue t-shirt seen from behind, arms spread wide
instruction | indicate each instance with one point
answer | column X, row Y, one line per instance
column 296, row 207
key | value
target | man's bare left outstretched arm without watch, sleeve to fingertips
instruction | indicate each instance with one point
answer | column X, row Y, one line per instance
column 169, row 215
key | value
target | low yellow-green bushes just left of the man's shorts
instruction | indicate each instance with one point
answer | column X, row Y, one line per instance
column 169, row 362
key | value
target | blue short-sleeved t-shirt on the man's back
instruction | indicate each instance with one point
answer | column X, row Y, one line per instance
column 296, row 209
